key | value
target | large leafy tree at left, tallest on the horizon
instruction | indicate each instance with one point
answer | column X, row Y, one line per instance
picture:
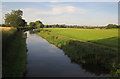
column 14, row 18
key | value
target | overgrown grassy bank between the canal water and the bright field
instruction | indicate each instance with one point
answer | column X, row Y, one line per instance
column 93, row 58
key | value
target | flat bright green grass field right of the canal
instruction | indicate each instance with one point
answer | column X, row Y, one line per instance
column 107, row 37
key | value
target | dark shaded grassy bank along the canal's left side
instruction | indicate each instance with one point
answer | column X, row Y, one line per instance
column 13, row 53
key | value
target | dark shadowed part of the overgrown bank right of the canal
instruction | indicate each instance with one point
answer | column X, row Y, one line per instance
column 96, row 60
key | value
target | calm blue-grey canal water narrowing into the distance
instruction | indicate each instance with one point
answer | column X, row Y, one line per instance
column 46, row 60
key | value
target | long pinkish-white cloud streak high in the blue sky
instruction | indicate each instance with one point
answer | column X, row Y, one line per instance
column 57, row 10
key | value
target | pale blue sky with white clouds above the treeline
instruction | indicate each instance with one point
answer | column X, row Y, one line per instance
column 70, row 13
